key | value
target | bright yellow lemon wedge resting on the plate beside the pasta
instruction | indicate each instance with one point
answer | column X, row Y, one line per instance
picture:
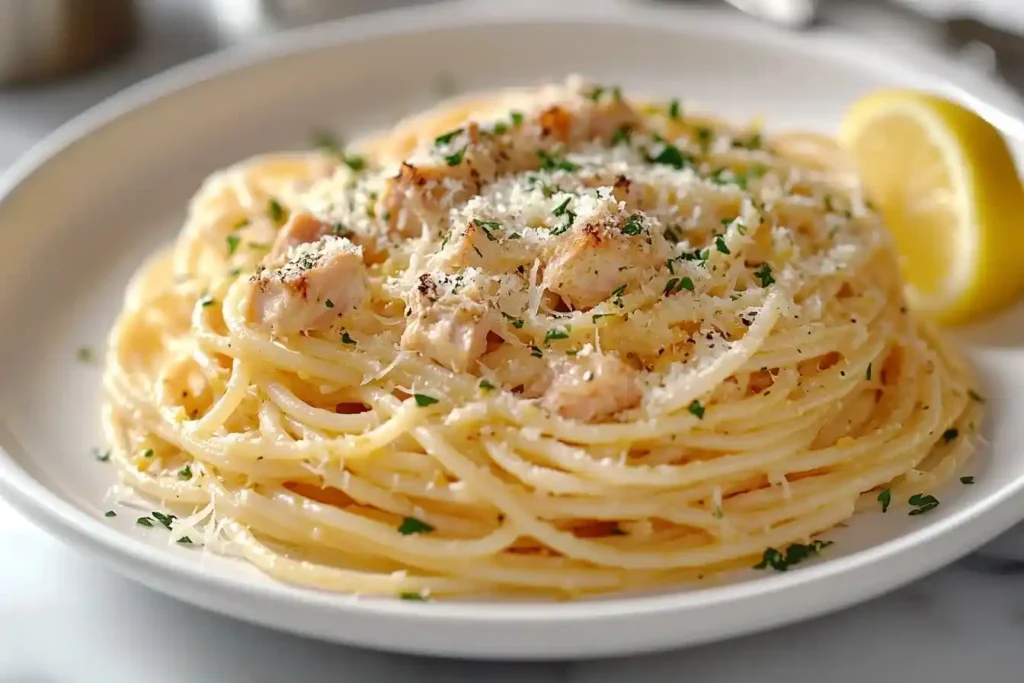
column 947, row 186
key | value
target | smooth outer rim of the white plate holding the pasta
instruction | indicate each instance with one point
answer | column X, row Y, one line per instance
column 980, row 521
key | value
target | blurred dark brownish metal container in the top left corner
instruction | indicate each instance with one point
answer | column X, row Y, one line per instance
column 42, row 39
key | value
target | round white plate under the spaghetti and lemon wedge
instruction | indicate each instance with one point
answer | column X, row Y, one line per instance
column 81, row 212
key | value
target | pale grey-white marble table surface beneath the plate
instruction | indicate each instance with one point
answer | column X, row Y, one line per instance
column 66, row 619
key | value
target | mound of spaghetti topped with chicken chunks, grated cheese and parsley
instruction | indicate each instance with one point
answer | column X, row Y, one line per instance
column 545, row 344
